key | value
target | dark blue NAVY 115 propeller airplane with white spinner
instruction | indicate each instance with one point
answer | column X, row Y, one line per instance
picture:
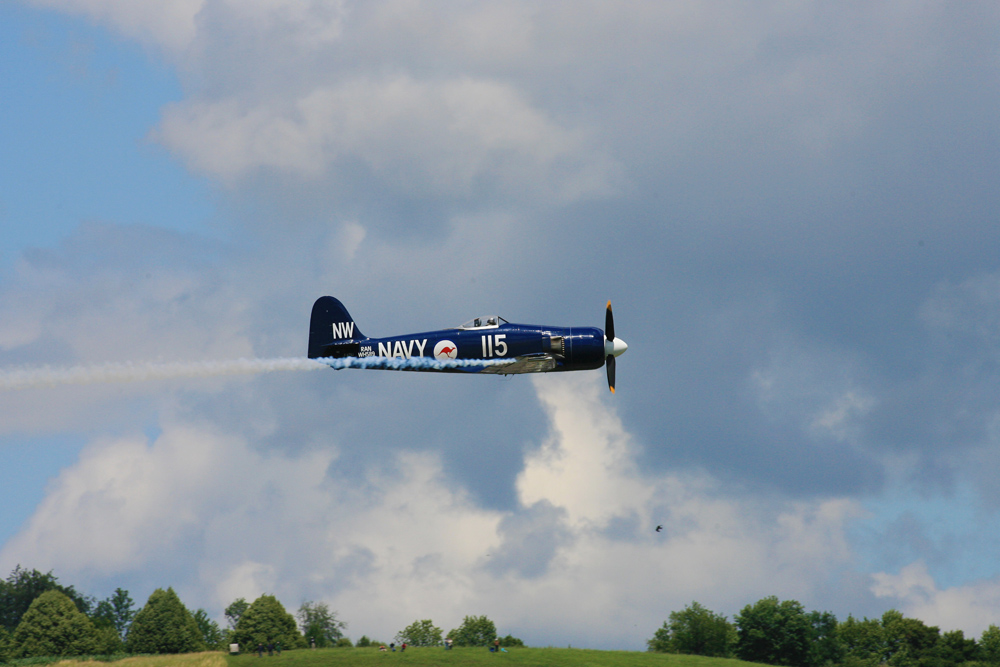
column 481, row 345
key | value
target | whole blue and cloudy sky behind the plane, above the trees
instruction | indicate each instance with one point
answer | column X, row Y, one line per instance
column 791, row 208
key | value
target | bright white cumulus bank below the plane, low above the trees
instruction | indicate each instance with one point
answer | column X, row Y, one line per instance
column 218, row 520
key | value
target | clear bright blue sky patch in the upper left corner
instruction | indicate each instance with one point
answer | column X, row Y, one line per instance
column 78, row 106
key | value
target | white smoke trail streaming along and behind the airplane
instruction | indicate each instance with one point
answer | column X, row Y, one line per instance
column 46, row 376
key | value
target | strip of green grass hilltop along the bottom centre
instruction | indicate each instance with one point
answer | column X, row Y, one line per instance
column 477, row 657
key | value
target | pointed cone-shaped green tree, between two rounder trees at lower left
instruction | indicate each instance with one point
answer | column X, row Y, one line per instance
column 164, row 625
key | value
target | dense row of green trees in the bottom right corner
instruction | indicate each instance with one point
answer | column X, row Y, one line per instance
column 777, row 632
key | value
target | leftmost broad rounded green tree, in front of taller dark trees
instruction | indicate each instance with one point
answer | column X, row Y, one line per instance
column 53, row 626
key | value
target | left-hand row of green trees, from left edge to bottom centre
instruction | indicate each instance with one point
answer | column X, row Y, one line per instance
column 39, row 616
